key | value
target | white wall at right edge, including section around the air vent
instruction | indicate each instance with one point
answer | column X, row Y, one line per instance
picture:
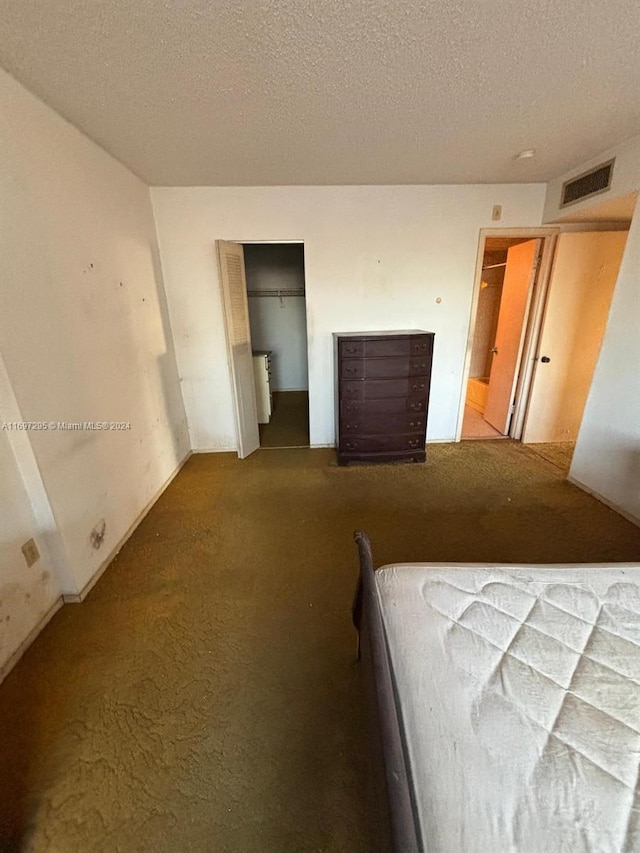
column 607, row 455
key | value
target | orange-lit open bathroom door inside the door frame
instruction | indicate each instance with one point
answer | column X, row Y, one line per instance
column 517, row 287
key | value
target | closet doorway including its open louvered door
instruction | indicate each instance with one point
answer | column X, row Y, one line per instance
column 263, row 293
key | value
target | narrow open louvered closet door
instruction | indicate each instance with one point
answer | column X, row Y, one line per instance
column 236, row 317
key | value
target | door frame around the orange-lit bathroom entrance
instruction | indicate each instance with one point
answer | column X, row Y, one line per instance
column 532, row 322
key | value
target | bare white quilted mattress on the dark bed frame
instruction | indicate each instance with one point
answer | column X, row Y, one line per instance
column 519, row 692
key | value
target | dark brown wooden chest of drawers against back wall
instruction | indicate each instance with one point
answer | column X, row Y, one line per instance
column 382, row 395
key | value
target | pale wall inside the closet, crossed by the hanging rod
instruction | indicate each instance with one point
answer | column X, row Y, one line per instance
column 279, row 324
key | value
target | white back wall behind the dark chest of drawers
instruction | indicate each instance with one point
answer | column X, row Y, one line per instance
column 375, row 258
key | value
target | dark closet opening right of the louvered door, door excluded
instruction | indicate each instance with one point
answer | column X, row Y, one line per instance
column 275, row 284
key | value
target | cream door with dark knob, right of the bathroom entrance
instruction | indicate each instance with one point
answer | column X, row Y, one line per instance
column 583, row 278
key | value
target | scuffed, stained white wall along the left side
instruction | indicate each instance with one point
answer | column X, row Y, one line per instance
column 84, row 335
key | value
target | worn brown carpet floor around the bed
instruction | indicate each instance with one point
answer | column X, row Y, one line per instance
column 205, row 696
